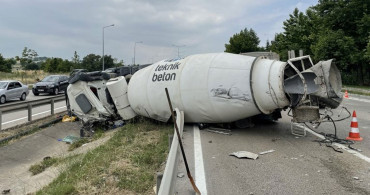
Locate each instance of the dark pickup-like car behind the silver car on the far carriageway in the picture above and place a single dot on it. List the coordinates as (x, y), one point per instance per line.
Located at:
(52, 84)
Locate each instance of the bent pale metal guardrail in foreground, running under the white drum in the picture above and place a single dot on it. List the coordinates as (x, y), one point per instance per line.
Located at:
(168, 182)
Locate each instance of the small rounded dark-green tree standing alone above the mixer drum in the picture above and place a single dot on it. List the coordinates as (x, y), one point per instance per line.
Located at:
(245, 41)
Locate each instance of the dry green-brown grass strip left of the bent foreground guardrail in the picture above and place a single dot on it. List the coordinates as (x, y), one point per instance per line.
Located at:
(125, 164)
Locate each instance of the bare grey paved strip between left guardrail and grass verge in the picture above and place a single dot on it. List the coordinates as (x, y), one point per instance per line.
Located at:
(16, 158)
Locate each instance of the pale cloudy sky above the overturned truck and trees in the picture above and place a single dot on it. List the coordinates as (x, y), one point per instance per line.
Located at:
(161, 29)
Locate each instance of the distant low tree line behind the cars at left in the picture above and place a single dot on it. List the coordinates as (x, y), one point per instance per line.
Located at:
(31, 61)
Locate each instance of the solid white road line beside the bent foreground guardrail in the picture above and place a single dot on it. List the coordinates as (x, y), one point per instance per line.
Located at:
(200, 178)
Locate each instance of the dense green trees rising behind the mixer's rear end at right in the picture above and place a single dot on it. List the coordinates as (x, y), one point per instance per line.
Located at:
(332, 29)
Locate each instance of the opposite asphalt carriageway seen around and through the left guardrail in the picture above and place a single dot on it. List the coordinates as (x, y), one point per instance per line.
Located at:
(19, 117)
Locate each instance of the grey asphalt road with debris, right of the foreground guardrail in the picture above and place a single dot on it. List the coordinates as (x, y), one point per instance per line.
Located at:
(299, 165)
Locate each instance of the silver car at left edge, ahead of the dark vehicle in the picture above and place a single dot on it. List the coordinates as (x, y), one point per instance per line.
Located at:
(11, 89)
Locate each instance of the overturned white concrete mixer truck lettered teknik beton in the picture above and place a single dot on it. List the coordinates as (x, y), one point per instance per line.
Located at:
(209, 88)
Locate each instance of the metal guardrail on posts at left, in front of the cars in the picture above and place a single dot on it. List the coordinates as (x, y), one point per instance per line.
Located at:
(28, 105)
